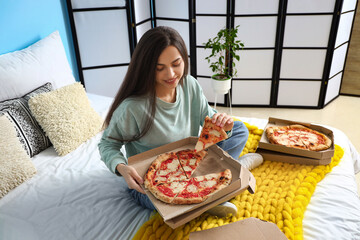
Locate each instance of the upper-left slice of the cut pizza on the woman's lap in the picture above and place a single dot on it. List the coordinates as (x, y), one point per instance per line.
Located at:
(165, 168)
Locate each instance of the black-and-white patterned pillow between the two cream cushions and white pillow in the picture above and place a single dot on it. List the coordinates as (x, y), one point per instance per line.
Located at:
(30, 133)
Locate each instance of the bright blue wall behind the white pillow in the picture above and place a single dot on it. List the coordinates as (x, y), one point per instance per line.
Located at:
(24, 22)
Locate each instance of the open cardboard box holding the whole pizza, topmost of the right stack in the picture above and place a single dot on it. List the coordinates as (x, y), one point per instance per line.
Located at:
(325, 154)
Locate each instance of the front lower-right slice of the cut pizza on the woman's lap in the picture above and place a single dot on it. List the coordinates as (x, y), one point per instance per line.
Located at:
(200, 188)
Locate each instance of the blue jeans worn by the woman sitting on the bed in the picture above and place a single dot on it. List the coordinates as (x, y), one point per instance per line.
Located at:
(233, 145)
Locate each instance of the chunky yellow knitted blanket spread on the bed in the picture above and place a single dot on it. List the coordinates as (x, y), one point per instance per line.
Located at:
(283, 191)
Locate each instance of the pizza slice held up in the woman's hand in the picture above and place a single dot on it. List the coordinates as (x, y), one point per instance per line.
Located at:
(210, 135)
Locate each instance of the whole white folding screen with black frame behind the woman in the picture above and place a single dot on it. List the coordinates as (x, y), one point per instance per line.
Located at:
(294, 53)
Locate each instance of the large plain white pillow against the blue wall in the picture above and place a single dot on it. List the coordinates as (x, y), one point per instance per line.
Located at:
(27, 69)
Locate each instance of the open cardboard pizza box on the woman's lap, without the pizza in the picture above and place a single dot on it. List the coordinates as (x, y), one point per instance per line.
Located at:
(217, 160)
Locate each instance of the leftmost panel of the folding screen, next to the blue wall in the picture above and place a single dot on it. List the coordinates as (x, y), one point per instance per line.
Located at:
(101, 32)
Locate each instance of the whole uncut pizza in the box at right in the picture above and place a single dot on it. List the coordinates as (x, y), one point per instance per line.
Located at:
(298, 136)
